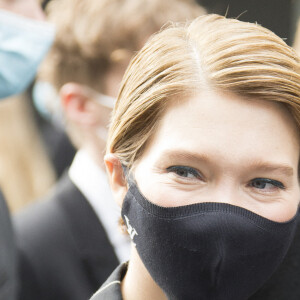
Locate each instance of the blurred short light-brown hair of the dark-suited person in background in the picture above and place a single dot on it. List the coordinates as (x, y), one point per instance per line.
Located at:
(95, 35)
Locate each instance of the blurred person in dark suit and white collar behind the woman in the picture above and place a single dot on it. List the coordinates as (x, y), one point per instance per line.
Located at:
(69, 243)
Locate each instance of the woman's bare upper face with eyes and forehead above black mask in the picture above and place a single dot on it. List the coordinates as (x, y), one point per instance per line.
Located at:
(221, 148)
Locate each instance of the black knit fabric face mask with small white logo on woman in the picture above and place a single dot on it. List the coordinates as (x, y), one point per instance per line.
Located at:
(205, 251)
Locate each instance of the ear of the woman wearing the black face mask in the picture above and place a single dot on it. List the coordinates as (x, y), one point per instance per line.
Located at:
(116, 176)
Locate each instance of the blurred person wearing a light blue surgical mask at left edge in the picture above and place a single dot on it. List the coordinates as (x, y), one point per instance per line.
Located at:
(24, 40)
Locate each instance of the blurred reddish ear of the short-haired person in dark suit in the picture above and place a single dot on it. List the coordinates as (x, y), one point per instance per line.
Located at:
(78, 105)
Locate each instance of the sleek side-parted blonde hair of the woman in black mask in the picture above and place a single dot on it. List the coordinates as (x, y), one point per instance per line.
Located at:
(213, 53)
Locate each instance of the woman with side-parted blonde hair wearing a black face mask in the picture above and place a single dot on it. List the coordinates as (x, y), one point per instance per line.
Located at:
(203, 158)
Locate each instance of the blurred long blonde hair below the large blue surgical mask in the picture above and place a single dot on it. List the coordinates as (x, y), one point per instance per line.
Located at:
(26, 172)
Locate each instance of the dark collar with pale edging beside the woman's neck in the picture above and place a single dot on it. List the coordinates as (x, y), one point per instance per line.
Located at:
(111, 289)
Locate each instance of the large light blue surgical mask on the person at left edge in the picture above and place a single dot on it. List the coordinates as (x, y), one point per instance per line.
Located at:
(23, 44)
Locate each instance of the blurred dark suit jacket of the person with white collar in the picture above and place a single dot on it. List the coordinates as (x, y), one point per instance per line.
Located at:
(63, 249)
